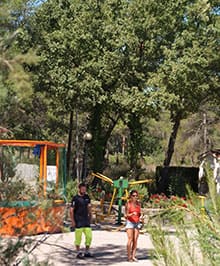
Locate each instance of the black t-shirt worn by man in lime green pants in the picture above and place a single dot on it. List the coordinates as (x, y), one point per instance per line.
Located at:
(81, 214)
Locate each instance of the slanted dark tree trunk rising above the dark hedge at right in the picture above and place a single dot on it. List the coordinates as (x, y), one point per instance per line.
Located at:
(170, 149)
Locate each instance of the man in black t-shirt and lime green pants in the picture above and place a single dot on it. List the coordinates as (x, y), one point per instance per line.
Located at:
(80, 213)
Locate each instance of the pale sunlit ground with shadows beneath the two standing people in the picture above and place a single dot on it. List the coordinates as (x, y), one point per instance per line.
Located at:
(108, 247)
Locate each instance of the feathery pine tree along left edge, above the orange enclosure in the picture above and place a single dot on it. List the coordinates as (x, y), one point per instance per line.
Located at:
(14, 77)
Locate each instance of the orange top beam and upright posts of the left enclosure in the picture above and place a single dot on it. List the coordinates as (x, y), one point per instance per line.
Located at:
(45, 146)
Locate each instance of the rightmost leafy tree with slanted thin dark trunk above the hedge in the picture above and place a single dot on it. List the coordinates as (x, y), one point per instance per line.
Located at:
(189, 70)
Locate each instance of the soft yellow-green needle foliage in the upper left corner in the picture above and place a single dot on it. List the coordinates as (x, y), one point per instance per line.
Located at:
(12, 60)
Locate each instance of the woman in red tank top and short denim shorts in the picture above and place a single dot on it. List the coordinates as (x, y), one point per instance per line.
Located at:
(133, 214)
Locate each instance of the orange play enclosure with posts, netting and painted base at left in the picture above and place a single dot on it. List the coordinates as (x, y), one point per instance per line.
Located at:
(33, 216)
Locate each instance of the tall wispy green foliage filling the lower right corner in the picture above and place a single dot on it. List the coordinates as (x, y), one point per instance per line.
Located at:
(194, 239)
